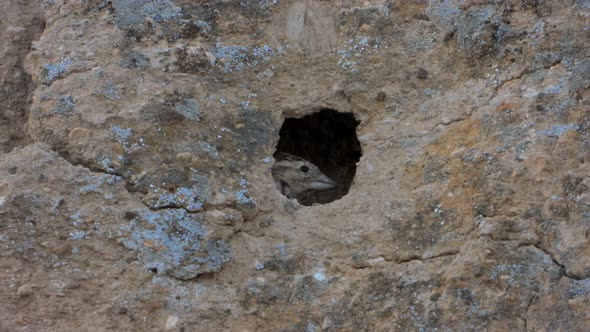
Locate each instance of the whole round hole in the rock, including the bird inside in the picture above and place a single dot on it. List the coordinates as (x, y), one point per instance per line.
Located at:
(316, 156)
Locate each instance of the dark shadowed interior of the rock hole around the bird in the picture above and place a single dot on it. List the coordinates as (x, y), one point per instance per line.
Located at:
(327, 139)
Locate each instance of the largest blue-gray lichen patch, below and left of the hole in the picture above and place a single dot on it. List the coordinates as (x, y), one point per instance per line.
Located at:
(175, 242)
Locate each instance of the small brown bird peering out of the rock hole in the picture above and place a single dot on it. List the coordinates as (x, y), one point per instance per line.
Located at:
(294, 175)
